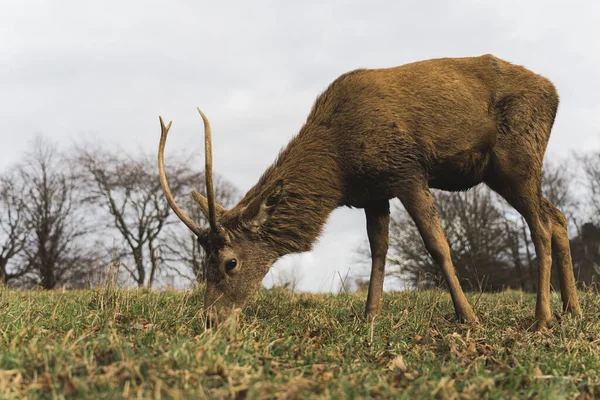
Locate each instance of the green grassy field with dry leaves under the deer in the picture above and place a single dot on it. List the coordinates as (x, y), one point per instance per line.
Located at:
(140, 344)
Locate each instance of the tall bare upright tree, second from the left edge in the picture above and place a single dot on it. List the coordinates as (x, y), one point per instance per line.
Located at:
(56, 250)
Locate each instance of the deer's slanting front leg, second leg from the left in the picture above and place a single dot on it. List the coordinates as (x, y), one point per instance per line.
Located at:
(419, 203)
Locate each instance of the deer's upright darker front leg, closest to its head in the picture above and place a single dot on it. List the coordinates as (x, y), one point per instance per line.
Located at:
(378, 221)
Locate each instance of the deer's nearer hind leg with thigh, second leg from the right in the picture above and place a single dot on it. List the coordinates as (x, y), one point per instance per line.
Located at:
(524, 195)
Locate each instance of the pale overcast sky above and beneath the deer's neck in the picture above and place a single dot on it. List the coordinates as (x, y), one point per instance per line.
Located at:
(75, 70)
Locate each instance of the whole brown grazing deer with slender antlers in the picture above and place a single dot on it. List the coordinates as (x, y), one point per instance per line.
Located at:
(378, 134)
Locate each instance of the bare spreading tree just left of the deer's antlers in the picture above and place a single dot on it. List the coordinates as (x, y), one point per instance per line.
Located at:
(128, 189)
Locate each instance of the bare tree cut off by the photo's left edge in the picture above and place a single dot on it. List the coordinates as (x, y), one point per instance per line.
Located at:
(13, 229)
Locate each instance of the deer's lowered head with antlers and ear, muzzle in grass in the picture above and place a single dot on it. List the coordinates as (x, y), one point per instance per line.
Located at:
(238, 257)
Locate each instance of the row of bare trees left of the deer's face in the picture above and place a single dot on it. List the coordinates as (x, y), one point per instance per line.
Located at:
(68, 216)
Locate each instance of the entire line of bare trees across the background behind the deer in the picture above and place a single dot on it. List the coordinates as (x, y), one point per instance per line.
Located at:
(68, 216)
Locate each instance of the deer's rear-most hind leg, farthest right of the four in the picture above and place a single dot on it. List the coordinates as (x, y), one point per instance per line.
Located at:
(561, 251)
